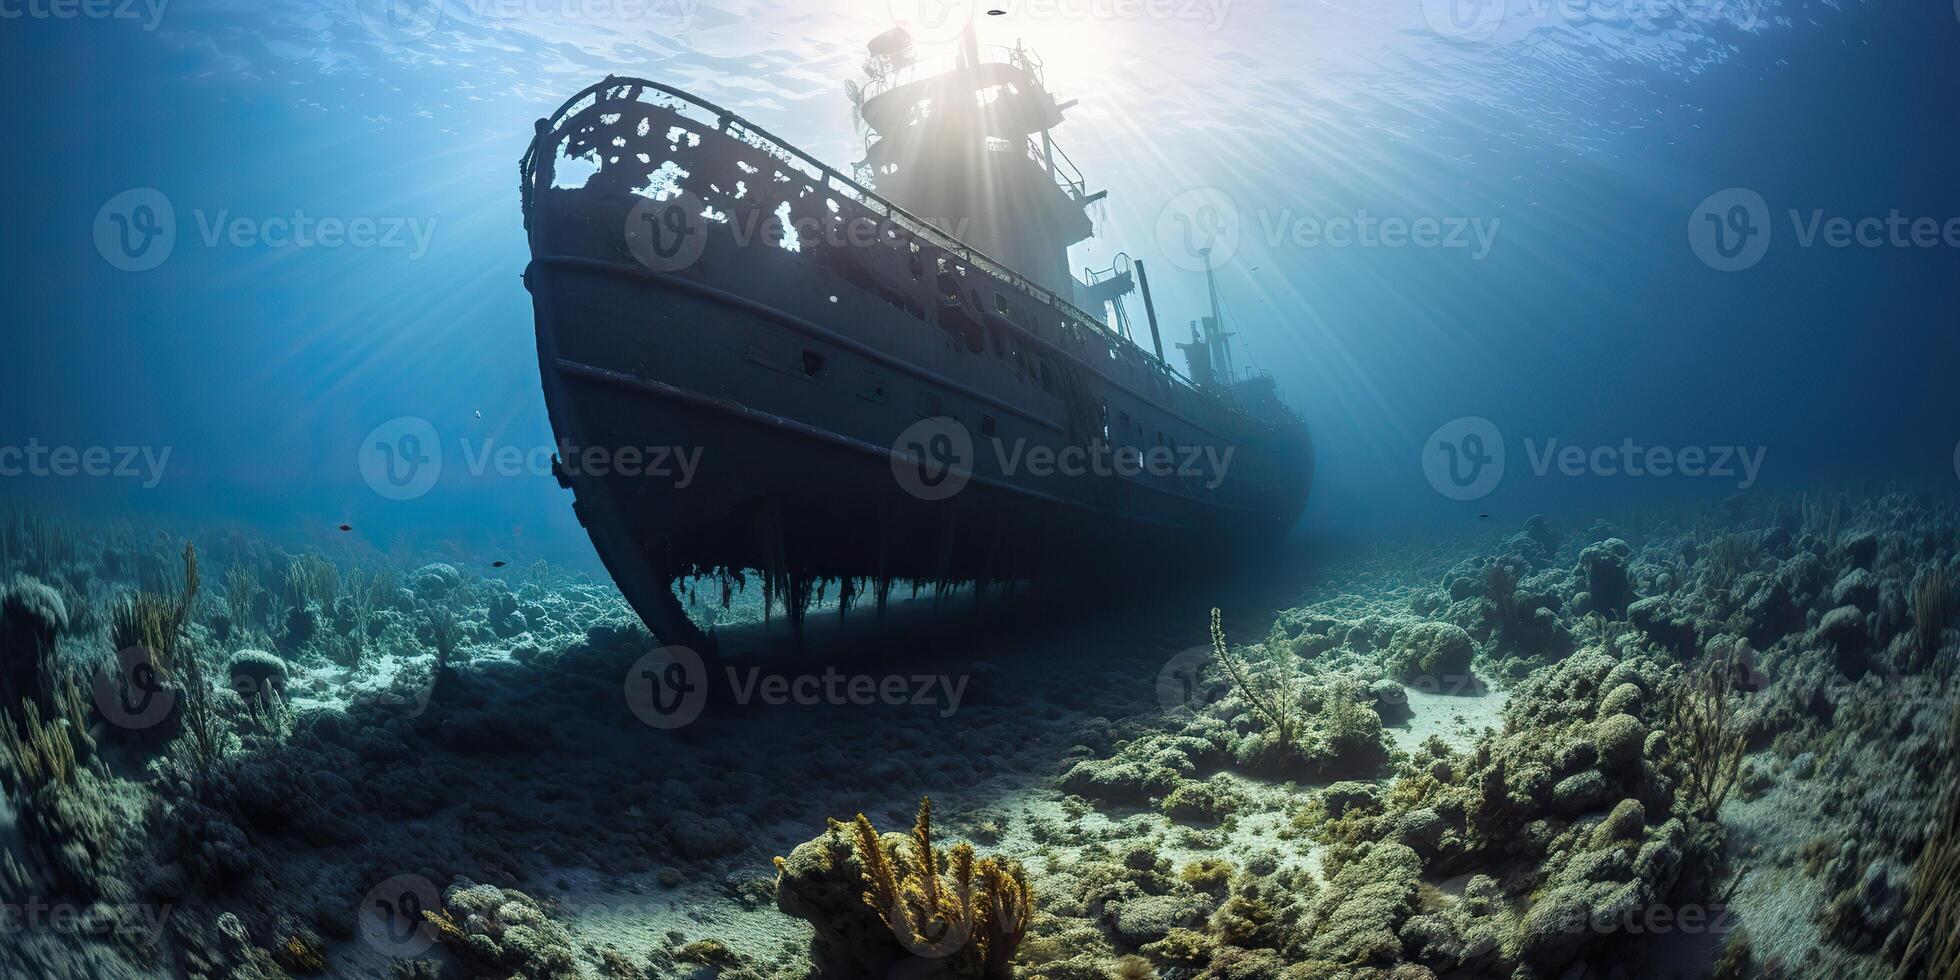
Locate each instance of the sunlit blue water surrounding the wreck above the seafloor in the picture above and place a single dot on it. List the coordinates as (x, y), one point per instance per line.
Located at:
(1583, 140)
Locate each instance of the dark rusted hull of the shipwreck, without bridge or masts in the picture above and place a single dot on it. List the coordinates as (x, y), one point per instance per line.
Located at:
(824, 415)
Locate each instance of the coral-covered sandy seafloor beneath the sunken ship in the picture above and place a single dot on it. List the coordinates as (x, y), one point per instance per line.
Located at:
(1487, 773)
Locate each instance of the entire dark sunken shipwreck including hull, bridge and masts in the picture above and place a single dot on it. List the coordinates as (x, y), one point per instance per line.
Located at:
(881, 387)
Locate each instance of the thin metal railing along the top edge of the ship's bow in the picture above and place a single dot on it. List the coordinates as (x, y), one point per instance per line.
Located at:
(787, 154)
